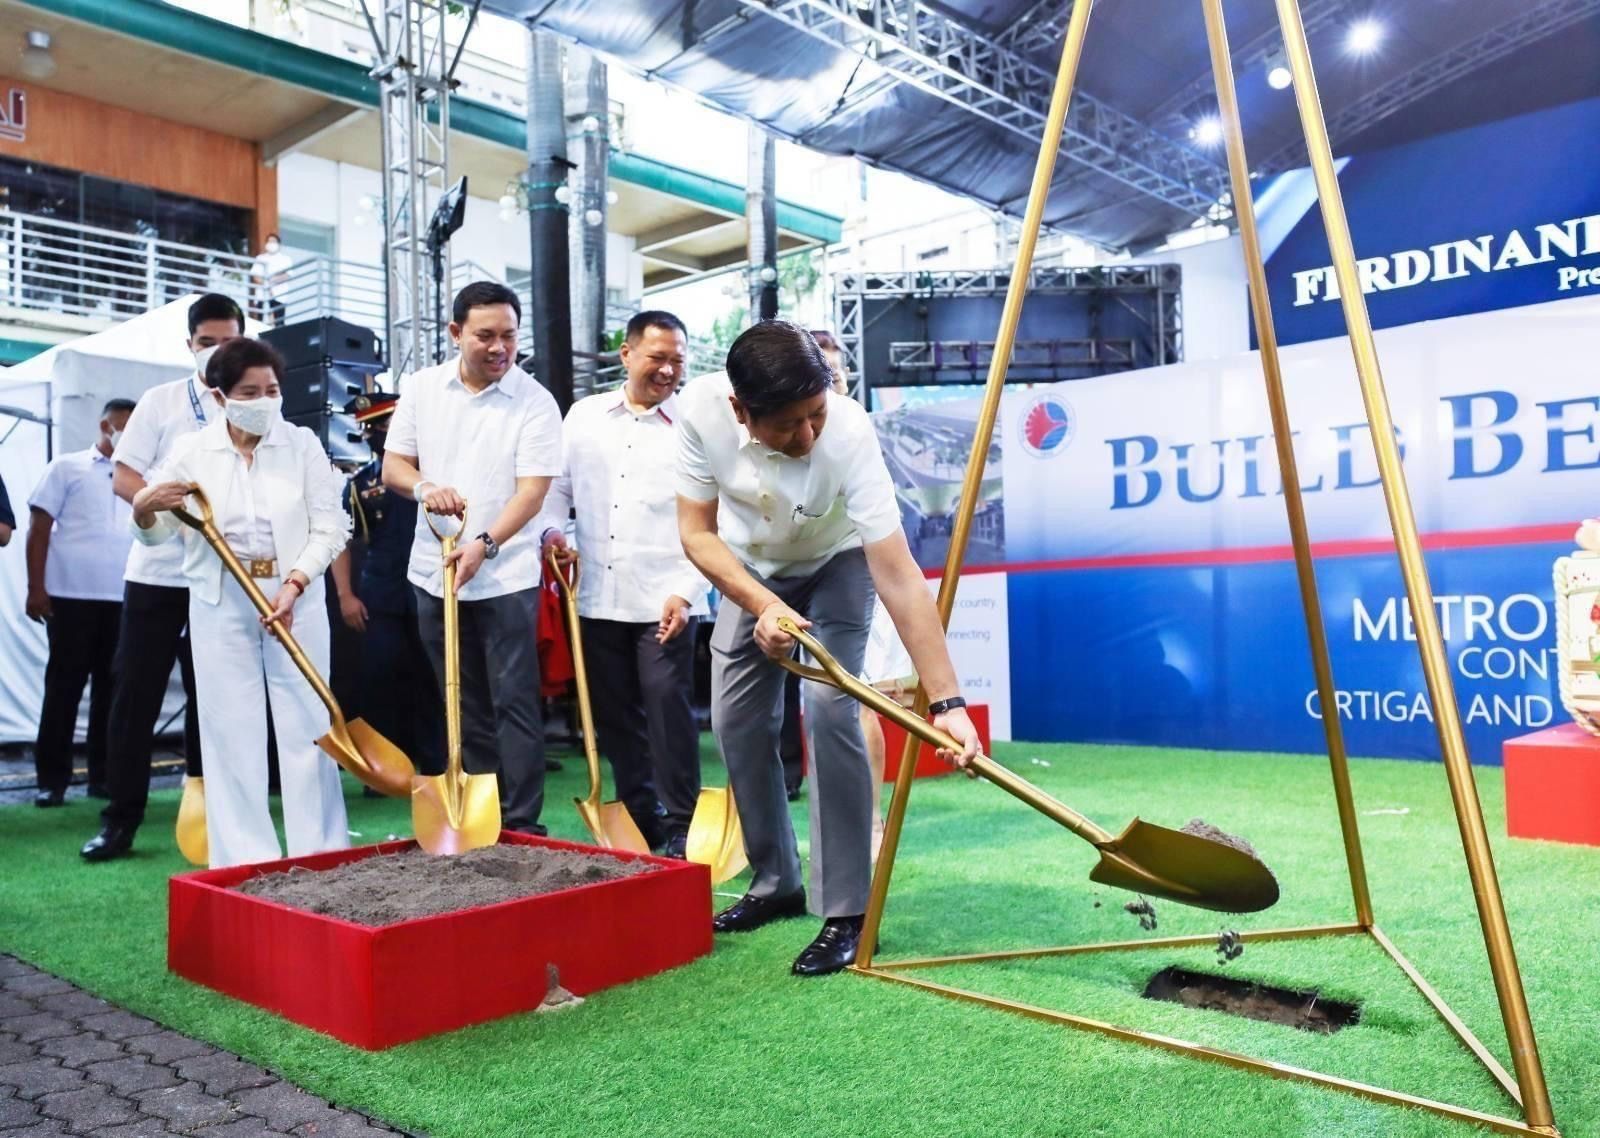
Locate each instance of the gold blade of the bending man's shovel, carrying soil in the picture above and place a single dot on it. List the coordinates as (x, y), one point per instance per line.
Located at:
(1186, 868)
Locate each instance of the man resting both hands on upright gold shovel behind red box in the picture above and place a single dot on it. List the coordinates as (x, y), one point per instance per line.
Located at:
(481, 435)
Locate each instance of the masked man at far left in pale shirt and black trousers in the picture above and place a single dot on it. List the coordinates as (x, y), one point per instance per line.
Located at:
(78, 545)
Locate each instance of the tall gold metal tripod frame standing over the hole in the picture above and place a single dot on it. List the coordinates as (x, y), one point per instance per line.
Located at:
(1527, 1088)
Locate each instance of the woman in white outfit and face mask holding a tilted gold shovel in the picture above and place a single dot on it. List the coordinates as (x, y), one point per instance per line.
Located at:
(278, 502)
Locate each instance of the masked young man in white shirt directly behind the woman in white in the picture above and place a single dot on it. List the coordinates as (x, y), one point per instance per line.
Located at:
(156, 596)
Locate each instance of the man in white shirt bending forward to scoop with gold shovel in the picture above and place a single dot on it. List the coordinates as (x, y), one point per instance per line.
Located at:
(786, 507)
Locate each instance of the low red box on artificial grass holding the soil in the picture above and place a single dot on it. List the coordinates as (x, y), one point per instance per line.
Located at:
(378, 987)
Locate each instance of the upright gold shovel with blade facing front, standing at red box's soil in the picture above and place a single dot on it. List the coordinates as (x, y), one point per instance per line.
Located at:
(454, 812)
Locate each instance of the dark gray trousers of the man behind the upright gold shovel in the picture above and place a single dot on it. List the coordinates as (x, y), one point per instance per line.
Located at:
(502, 721)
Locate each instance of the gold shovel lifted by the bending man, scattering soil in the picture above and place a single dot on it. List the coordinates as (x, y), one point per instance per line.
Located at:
(1198, 870)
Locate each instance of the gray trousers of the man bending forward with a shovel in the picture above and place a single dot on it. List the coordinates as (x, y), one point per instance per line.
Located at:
(748, 715)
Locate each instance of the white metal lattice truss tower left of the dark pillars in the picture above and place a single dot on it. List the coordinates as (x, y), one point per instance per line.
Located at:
(415, 76)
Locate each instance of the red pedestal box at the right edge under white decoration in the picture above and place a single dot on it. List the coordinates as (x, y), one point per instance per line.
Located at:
(1553, 785)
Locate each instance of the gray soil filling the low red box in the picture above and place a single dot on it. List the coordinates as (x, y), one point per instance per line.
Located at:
(388, 889)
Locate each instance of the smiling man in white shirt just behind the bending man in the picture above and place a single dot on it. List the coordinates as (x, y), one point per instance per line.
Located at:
(638, 593)
